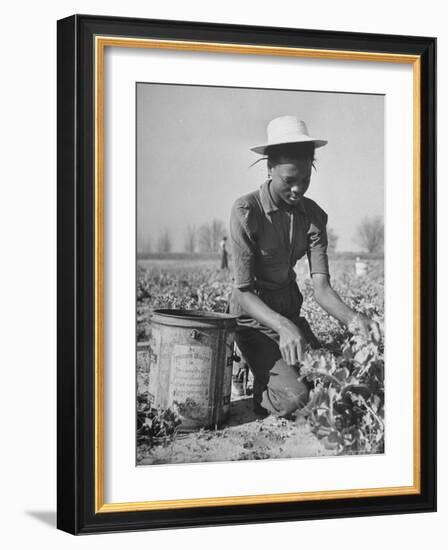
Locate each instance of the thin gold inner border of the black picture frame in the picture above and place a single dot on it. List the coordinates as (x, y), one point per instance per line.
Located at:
(100, 43)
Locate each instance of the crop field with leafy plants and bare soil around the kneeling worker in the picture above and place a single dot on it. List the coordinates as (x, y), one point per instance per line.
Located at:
(345, 411)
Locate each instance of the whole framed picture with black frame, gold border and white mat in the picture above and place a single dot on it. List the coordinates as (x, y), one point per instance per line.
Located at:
(246, 274)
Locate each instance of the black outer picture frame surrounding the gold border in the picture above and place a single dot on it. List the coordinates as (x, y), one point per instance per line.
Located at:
(77, 495)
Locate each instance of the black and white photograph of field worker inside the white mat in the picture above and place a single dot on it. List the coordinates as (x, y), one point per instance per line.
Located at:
(260, 274)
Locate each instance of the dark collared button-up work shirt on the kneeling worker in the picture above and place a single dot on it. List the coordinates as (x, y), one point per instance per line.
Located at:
(267, 241)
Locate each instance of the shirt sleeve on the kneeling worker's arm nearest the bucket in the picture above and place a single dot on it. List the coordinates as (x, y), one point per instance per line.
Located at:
(243, 244)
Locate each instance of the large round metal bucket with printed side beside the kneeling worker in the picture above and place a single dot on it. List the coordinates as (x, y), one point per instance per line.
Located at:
(191, 362)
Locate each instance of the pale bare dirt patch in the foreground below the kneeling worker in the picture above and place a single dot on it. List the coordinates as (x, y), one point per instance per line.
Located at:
(245, 437)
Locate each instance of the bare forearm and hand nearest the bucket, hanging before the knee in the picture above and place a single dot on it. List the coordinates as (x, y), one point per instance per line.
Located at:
(291, 342)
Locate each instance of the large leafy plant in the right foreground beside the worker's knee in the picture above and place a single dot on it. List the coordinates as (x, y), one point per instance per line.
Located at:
(346, 405)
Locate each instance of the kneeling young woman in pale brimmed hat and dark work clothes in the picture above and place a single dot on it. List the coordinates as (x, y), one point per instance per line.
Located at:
(270, 230)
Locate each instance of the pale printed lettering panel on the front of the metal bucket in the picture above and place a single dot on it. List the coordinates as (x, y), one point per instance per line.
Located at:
(190, 379)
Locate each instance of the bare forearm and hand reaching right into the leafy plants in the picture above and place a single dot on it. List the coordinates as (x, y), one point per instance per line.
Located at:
(329, 300)
